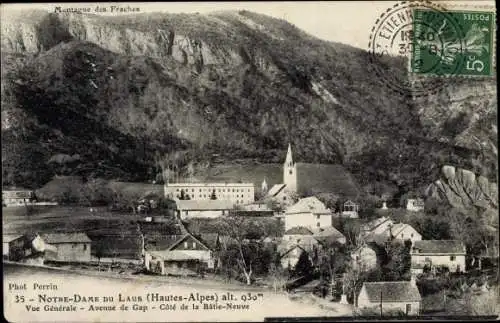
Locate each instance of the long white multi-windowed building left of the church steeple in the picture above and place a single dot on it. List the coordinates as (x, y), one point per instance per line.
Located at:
(237, 193)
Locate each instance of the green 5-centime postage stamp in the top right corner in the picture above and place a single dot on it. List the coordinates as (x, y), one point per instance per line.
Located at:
(453, 42)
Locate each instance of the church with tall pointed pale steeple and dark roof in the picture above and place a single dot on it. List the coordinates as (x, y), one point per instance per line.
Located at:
(307, 179)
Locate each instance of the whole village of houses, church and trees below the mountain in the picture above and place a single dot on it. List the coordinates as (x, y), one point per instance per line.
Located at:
(285, 237)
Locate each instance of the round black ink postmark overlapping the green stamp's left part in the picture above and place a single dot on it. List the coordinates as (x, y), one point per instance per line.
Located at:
(413, 44)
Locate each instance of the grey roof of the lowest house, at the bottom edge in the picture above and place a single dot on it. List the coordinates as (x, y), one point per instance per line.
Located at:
(400, 291)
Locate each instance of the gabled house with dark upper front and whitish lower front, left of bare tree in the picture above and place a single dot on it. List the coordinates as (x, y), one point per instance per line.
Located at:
(185, 255)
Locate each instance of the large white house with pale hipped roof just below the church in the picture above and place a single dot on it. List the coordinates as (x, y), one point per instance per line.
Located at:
(308, 212)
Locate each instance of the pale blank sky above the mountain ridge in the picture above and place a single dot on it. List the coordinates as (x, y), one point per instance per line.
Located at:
(348, 22)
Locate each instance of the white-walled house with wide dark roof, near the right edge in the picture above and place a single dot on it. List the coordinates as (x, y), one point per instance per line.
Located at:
(438, 253)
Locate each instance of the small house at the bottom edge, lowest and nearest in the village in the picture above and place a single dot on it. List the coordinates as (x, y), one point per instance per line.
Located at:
(390, 296)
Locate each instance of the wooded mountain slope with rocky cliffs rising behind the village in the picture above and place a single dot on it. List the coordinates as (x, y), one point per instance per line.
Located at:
(121, 91)
